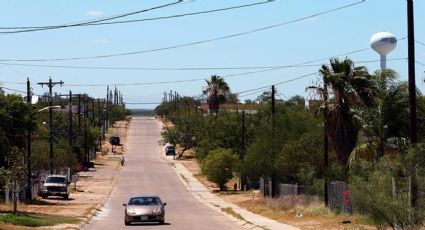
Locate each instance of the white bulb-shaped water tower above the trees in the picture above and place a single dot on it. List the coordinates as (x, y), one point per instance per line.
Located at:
(383, 43)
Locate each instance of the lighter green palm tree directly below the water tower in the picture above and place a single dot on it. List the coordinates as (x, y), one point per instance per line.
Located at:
(387, 121)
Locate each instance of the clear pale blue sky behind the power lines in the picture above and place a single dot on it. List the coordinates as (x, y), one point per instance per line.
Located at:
(179, 53)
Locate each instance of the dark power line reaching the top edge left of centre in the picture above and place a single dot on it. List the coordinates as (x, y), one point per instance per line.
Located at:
(39, 28)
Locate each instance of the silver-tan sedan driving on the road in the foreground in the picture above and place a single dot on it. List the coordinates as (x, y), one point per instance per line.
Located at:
(144, 208)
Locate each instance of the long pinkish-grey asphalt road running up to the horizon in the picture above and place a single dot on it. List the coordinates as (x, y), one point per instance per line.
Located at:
(146, 172)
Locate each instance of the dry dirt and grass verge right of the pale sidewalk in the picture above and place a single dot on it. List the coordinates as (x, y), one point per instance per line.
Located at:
(294, 212)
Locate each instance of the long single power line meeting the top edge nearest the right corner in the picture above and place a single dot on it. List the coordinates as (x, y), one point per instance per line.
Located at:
(190, 43)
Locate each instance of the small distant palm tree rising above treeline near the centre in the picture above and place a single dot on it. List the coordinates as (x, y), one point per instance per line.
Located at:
(216, 91)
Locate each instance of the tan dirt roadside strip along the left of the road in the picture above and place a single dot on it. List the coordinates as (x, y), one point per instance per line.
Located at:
(90, 191)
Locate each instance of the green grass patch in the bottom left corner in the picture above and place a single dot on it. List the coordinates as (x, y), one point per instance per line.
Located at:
(36, 220)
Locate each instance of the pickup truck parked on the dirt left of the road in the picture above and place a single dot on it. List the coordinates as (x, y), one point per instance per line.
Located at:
(56, 185)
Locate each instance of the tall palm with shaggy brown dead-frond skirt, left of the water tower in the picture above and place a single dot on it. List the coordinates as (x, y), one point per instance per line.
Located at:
(351, 87)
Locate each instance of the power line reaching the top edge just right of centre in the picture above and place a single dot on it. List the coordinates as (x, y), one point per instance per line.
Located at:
(162, 17)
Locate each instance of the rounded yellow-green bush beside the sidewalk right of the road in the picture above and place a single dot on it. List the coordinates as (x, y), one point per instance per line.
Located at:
(219, 166)
